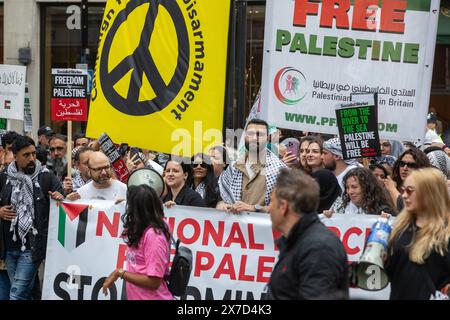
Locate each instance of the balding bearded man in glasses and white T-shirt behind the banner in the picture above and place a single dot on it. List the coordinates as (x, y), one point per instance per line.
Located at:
(102, 185)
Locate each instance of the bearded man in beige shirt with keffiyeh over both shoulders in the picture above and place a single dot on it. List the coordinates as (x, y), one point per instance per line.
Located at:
(247, 184)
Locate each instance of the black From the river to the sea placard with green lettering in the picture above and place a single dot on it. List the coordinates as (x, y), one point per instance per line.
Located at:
(358, 130)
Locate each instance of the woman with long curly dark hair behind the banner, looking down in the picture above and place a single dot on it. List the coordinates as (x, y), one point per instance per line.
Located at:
(363, 194)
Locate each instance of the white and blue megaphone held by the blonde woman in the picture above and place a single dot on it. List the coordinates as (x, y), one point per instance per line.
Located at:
(370, 273)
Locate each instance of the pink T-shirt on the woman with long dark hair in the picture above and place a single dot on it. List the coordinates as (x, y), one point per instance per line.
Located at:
(151, 258)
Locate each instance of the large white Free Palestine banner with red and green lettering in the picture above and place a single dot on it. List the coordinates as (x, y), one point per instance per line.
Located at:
(318, 53)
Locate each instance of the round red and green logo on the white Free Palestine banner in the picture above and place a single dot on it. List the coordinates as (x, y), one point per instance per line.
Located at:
(290, 85)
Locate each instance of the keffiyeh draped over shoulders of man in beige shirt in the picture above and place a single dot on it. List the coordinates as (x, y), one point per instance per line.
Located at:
(230, 181)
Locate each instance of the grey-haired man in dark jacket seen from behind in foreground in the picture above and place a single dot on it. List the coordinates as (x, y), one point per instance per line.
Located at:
(312, 262)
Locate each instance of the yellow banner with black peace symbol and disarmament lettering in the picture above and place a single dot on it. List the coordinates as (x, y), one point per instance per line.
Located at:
(159, 80)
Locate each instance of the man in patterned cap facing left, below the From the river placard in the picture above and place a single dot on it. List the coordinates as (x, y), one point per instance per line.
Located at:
(332, 159)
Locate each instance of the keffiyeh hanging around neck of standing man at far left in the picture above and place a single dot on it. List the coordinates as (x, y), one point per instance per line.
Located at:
(22, 199)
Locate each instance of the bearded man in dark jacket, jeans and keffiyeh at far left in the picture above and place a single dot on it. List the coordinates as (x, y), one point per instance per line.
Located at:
(24, 211)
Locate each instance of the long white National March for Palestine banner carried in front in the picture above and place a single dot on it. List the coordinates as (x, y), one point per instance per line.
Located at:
(233, 255)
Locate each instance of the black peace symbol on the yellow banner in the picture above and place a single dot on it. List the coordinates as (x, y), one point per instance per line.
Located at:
(141, 62)
